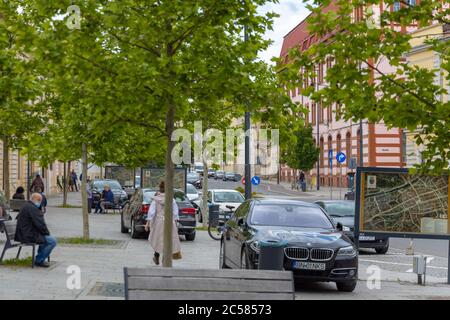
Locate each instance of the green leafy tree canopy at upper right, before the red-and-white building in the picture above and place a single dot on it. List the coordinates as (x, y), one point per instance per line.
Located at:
(407, 98)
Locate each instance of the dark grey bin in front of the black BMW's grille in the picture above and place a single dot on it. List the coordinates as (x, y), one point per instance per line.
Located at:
(271, 255)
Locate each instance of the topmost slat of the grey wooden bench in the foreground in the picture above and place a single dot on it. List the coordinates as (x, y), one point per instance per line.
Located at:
(210, 273)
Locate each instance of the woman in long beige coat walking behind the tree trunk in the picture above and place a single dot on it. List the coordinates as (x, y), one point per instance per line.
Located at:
(155, 222)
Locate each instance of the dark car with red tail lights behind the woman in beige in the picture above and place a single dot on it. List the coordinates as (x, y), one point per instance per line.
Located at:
(134, 214)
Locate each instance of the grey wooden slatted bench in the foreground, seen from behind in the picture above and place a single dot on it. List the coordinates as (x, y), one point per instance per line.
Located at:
(223, 284)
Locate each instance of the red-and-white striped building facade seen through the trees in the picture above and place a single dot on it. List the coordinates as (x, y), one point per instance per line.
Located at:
(381, 147)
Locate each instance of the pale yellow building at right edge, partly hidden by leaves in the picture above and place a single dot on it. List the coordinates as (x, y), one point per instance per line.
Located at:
(422, 55)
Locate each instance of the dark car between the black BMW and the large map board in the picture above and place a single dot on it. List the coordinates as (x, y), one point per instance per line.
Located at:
(343, 211)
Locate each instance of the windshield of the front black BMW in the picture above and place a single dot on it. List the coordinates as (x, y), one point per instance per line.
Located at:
(290, 215)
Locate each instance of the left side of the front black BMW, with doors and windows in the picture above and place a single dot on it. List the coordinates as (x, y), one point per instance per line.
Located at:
(236, 234)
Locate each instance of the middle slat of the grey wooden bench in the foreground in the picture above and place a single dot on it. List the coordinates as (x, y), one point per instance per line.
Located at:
(210, 284)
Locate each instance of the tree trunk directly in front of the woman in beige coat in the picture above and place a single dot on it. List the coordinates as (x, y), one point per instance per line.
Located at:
(168, 208)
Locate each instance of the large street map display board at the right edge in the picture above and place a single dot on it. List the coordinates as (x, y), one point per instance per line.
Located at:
(392, 201)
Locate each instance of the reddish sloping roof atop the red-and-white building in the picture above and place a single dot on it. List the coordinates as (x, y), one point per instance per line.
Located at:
(300, 33)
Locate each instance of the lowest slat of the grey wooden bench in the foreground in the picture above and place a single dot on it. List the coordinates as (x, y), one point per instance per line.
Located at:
(207, 295)
